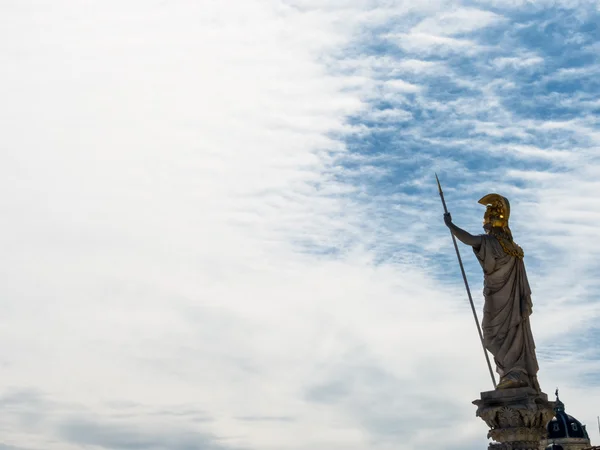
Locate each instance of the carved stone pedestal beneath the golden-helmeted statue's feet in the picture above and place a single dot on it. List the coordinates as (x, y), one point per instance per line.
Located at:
(517, 417)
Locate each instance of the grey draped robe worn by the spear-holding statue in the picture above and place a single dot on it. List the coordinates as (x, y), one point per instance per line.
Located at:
(506, 327)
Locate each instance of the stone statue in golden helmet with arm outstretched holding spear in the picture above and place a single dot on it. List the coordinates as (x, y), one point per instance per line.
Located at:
(506, 327)
